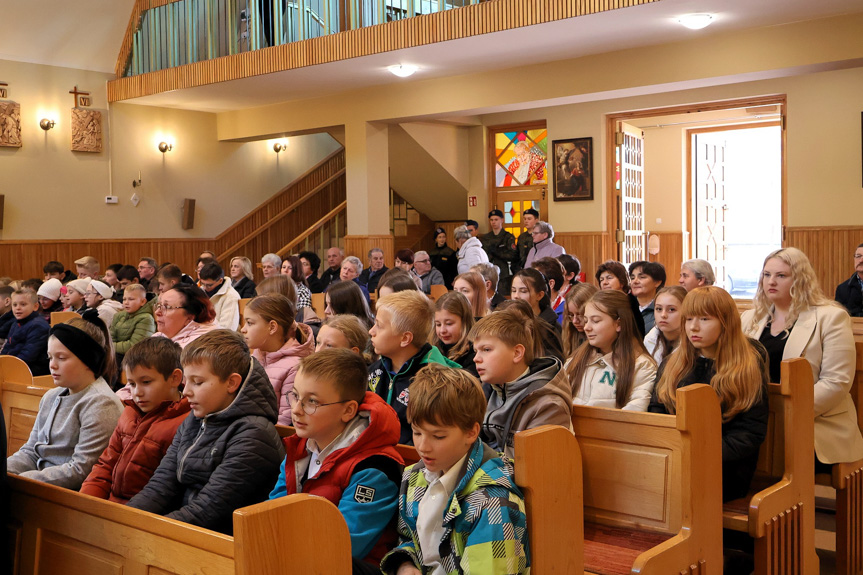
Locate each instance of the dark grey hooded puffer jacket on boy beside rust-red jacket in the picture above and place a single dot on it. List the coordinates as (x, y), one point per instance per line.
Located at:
(227, 460)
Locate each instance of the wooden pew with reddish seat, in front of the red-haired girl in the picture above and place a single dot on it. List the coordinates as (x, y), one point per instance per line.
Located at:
(652, 487)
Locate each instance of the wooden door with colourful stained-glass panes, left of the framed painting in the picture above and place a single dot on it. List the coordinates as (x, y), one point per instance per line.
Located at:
(518, 172)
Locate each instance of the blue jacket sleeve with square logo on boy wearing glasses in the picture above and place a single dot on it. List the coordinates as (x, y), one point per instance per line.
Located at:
(368, 504)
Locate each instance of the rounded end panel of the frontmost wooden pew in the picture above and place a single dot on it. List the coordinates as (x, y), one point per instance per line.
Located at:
(276, 534)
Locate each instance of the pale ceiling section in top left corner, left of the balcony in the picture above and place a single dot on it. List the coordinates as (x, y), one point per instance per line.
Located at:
(82, 34)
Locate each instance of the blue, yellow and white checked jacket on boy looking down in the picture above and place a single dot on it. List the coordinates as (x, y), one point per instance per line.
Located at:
(485, 526)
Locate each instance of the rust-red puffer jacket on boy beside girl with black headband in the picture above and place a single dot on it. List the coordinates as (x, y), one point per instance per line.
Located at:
(137, 446)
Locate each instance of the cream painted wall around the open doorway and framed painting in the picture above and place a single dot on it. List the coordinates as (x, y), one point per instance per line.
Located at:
(823, 149)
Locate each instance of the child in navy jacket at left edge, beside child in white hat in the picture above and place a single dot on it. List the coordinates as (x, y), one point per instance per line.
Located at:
(28, 336)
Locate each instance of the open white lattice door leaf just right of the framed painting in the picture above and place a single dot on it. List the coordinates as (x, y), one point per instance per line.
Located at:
(630, 235)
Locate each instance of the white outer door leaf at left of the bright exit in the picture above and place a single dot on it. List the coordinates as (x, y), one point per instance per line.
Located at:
(710, 205)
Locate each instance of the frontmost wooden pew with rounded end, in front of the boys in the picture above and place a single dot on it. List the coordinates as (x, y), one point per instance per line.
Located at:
(55, 530)
